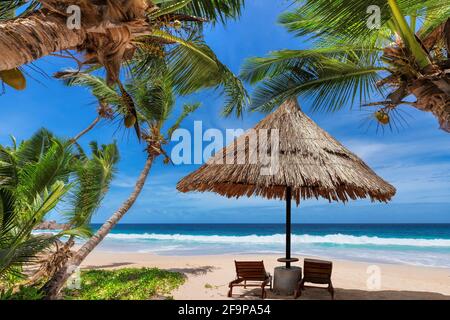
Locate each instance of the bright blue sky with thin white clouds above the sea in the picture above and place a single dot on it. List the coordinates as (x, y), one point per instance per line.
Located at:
(415, 160)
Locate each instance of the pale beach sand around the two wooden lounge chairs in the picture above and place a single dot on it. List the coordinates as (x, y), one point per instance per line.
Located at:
(208, 277)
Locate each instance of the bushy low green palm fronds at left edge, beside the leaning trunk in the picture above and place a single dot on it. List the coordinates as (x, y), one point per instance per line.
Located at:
(35, 176)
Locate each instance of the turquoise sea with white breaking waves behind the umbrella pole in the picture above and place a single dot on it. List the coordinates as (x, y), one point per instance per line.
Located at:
(415, 244)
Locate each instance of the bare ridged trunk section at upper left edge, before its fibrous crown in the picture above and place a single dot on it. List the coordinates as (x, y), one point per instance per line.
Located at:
(24, 40)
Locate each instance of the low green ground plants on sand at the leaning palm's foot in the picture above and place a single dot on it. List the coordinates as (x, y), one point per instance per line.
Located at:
(125, 284)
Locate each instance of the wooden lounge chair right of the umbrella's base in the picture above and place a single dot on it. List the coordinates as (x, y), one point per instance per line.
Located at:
(317, 272)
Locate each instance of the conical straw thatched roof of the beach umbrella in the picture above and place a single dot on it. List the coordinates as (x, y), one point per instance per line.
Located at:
(310, 161)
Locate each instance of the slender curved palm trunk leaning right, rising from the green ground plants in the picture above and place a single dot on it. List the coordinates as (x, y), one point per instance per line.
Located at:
(56, 283)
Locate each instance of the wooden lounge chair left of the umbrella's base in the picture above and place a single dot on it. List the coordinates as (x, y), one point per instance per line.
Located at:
(255, 273)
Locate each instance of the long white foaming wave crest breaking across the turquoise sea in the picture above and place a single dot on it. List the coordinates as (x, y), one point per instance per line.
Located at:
(332, 239)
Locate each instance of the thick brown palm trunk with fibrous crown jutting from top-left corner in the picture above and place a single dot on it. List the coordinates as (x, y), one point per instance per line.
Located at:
(106, 30)
